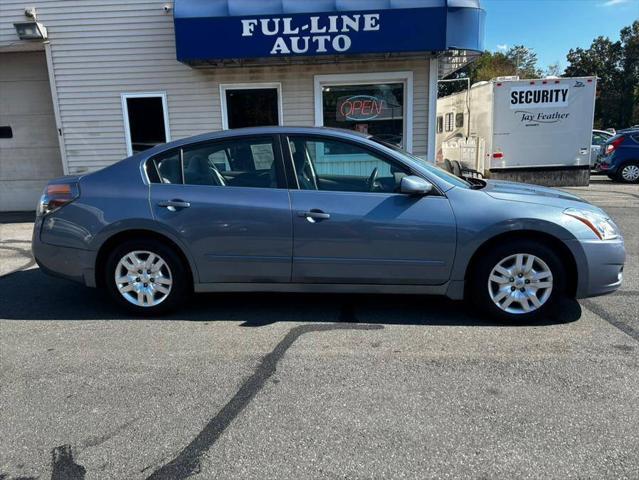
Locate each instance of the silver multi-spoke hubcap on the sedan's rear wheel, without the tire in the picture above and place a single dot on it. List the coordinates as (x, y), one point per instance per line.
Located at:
(143, 278)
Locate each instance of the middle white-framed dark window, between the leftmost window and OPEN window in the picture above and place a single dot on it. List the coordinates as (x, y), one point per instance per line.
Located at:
(251, 105)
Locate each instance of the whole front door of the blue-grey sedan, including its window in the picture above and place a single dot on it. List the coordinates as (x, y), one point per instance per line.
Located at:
(351, 226)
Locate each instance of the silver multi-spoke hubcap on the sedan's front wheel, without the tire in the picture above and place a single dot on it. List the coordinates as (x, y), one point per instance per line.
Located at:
(520, 283)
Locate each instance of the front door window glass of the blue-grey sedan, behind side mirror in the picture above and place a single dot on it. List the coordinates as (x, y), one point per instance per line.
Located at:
(332, 165)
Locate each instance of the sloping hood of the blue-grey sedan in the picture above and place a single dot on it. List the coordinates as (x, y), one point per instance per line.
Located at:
(523, 192)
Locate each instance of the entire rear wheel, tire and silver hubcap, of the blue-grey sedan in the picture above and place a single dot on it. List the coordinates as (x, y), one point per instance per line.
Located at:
(145, 277)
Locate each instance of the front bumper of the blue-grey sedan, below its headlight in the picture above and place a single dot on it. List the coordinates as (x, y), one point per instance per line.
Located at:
(600, 266)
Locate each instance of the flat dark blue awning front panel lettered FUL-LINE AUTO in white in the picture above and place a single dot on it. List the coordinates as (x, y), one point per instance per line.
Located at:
(311, 34)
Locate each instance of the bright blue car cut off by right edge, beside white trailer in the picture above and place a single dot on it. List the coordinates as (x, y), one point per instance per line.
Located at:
(620, 157)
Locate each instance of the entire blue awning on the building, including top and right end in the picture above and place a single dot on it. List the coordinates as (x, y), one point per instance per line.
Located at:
(213, 30)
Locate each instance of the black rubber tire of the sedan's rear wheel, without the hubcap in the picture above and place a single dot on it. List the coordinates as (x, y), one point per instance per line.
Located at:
(181, 281)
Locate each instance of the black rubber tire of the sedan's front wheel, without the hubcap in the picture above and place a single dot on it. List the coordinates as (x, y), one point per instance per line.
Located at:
(478, 288)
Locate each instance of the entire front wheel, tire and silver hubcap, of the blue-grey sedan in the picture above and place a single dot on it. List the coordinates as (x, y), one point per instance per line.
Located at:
(519, 280)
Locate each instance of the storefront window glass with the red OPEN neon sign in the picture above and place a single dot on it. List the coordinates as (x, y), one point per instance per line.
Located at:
(375, 109)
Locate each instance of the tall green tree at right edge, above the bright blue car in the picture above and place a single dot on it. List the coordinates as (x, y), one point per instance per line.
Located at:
(616, 64)
